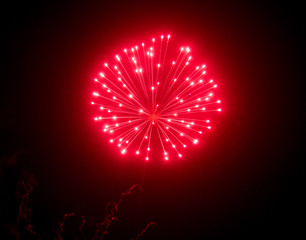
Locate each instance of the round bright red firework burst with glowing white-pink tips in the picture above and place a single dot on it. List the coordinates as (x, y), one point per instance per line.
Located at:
(151, 93)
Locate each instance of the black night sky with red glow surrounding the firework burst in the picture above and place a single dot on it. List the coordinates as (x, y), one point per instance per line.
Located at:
(243, 182)
